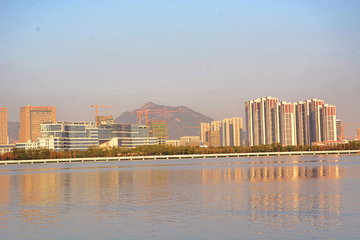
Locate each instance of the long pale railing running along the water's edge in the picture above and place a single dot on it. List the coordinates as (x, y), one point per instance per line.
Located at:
(168, 157)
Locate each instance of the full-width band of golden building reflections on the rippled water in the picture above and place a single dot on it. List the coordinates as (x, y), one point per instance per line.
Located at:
(274, 197)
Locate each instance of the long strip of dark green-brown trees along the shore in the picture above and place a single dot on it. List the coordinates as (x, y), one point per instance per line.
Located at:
(153, 150)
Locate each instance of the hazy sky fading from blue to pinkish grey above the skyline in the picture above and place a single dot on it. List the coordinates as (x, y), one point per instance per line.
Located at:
(210, 56)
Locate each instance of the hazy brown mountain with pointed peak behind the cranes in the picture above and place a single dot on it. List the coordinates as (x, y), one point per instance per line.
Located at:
(182, 122)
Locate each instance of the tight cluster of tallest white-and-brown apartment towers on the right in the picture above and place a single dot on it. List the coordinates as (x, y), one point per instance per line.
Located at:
(300, 123)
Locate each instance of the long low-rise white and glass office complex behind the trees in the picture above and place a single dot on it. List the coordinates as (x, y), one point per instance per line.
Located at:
(68, 136)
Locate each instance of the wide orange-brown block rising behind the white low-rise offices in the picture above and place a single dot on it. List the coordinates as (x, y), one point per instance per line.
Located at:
(30, 119)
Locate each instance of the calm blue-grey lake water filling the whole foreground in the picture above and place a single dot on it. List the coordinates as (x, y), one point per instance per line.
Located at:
(225, 198)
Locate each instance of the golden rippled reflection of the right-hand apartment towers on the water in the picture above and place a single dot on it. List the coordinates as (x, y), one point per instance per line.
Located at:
(281, 197)
